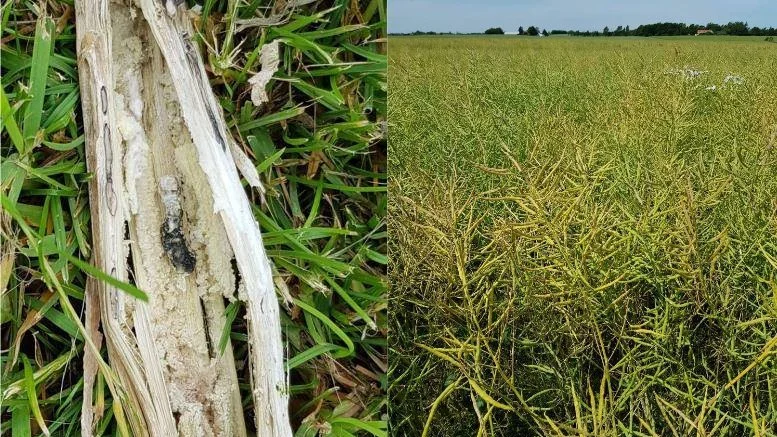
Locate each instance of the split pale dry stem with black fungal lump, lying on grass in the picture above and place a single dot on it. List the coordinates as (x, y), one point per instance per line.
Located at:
(165, 179)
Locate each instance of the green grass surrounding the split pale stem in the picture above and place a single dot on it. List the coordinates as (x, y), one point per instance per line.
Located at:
(318, 145)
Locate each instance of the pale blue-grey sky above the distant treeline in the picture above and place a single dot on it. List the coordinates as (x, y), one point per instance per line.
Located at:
(476, 16)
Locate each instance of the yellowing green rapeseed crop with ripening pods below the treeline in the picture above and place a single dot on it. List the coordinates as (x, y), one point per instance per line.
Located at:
(584, 236)
